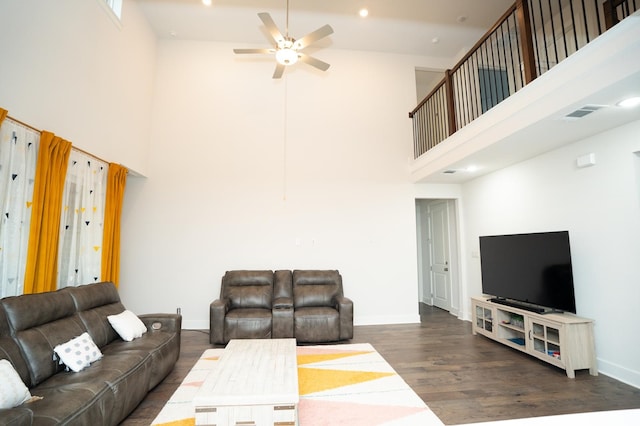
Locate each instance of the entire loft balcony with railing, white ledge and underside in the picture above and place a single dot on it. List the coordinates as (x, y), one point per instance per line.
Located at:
(548, 73)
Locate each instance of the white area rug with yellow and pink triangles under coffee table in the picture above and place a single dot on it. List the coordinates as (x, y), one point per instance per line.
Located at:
(348, 384)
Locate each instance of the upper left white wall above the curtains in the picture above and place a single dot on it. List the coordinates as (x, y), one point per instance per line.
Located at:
(69, 69)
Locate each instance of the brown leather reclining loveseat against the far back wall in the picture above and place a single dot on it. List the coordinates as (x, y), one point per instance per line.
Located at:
(306, 304)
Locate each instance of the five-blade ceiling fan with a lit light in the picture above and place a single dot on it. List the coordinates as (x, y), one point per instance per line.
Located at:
(287, 49)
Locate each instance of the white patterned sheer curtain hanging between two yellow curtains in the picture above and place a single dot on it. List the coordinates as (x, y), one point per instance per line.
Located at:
(82, 219)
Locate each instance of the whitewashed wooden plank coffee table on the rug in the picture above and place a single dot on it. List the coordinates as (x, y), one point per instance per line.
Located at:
(255, 382)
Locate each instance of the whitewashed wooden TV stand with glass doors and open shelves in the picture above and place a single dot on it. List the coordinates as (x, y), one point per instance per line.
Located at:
(561, 339)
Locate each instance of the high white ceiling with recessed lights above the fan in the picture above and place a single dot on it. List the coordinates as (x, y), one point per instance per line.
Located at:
(398, 26)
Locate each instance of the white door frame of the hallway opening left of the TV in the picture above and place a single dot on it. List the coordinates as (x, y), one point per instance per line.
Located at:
(425, 286)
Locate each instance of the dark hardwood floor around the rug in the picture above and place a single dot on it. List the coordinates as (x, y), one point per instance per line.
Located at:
(461, 377)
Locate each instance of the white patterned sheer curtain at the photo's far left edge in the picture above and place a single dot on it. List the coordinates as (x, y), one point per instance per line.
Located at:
(18, 155)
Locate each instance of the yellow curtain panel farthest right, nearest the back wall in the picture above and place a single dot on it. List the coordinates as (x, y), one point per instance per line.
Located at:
(116, 181)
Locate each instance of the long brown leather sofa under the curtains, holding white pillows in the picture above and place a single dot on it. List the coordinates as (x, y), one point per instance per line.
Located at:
(105, 392)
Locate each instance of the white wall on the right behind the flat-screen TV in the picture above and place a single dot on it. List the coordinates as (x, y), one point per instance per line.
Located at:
(600, 207)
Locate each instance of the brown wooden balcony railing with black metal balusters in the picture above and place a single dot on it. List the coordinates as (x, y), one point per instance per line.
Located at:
(528, 40)
